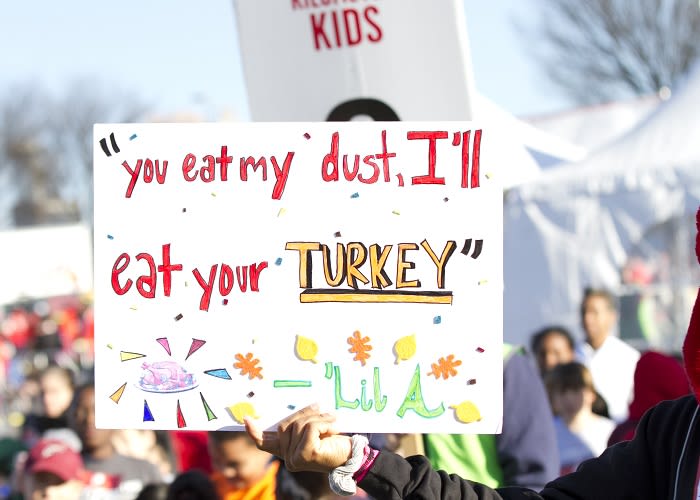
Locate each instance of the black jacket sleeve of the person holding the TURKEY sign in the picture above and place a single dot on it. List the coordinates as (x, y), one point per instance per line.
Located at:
(661, 462)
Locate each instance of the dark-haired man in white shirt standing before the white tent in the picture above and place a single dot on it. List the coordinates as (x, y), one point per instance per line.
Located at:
(611, 361)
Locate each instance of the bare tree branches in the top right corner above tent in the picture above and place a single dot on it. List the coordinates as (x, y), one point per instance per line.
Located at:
(601, 50)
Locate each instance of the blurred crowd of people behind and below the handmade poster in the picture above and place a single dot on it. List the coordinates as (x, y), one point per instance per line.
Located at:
(565, 402)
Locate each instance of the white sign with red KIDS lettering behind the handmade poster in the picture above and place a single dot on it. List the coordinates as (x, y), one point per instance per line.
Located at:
(317, 60)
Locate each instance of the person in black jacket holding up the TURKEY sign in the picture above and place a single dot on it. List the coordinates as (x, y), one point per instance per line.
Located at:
(662, 461)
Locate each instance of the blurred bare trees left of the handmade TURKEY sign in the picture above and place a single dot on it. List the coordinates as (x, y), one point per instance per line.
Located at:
(46, 145)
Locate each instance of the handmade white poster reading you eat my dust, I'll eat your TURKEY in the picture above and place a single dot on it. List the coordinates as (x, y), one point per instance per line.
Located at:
(254, 269)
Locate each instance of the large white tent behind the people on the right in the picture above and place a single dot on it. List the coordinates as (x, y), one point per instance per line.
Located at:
(629, 206)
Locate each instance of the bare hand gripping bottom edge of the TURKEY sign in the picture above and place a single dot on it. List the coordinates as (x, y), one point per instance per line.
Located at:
(305, 440)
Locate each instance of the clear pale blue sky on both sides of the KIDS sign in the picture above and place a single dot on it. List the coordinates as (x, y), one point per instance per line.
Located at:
(183, 55)
